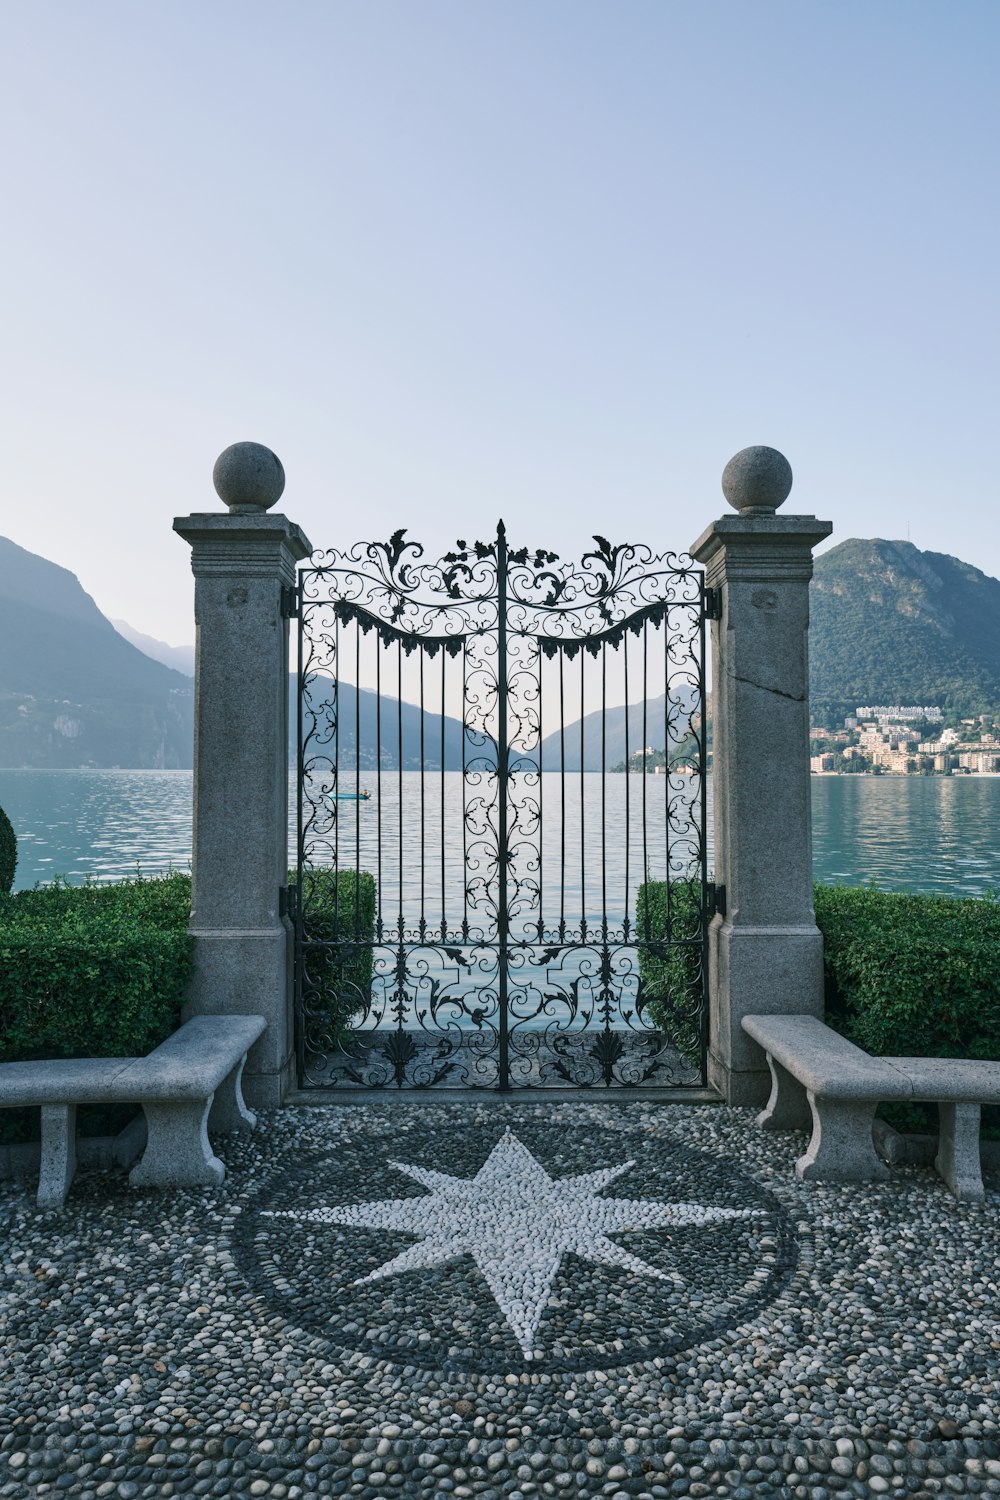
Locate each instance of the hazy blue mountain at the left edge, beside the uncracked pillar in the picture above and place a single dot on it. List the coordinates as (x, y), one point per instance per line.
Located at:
(73, 691)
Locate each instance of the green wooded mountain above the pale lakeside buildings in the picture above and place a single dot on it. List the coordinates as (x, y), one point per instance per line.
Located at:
(893, 625)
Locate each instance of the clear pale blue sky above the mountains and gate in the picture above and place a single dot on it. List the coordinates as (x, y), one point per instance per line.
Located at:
(466, 259)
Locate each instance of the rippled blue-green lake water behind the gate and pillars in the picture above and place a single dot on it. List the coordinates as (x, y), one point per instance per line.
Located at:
(906, 833)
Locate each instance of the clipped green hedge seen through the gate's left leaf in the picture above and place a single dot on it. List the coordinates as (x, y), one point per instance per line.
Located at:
(340, 928)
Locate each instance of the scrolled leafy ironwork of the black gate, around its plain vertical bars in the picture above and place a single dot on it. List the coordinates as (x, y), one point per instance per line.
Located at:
(575, 1004)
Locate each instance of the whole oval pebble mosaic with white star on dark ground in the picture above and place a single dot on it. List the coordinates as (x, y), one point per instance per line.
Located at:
(506, 1249)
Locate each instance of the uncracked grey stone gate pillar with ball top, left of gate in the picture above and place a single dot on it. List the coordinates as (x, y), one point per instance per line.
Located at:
(242, 562)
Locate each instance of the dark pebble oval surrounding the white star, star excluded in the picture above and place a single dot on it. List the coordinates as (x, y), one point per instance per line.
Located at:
(445, 1319)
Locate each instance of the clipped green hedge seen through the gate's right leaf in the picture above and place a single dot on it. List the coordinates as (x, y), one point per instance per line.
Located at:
(671, 962)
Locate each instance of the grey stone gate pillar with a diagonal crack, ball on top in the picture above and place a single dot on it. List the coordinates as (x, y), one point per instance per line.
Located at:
(765, 950)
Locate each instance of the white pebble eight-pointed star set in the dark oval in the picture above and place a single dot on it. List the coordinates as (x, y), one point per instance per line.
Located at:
(518, 1223)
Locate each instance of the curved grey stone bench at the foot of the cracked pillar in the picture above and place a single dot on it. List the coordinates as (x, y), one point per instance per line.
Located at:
(822, 1081)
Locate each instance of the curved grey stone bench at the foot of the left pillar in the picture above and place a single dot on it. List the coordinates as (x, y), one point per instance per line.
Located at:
(187, 1087)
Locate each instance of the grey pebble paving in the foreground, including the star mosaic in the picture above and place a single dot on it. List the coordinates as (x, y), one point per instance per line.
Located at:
(512, 1300)
